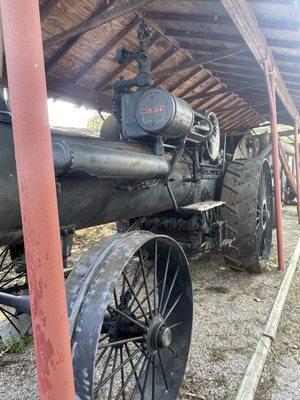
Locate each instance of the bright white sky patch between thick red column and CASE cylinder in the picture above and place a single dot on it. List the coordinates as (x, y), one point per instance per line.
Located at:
(68, 115)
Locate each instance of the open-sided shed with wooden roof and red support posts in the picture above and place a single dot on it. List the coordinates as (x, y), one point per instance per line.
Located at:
(225, 56)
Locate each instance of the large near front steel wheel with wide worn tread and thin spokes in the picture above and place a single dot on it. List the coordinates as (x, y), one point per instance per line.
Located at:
(130, 308)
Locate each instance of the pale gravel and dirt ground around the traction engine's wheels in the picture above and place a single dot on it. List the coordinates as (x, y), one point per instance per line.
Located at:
(230, 312)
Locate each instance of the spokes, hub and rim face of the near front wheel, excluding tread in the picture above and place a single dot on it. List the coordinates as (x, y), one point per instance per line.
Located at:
(150, 360)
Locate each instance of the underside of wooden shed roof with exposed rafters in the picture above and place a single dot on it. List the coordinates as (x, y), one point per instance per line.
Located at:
(199, 50)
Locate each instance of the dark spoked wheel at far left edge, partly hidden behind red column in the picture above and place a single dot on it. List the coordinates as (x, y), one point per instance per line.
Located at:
(12, 281)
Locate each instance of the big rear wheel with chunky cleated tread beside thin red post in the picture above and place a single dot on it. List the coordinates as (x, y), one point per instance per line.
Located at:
(247, 192)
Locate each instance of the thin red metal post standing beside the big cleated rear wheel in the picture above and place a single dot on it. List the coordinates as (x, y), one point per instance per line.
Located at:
(270, 82)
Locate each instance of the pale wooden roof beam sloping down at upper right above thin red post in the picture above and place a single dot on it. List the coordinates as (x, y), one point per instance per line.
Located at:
(245, 20)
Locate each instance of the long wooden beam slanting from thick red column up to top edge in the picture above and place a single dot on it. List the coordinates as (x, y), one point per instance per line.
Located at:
(96, 22)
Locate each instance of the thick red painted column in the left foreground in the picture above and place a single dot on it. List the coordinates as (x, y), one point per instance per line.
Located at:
(33, 151)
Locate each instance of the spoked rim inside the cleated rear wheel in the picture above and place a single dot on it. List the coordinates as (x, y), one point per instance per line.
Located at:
(264, 213)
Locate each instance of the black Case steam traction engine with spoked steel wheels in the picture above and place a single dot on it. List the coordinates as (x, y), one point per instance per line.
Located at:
(159, 170)
